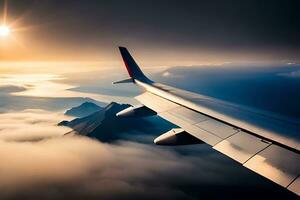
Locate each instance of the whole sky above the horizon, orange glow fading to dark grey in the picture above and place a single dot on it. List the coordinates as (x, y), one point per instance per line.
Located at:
(160, 33)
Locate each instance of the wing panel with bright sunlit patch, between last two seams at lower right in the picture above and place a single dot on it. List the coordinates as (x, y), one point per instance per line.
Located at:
(277, 164)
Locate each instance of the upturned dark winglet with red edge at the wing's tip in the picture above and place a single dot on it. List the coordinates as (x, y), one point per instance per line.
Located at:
(133, 69)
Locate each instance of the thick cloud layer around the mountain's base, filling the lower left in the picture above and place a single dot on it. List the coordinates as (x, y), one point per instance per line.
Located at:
(37, 162)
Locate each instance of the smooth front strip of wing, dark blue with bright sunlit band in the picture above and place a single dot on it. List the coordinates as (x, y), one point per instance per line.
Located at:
(269, 125)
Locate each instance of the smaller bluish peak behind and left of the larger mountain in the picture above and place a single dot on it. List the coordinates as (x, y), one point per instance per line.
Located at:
(83, 110)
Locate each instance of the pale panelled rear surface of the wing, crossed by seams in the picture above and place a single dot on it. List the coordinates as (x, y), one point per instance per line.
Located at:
(269, 159)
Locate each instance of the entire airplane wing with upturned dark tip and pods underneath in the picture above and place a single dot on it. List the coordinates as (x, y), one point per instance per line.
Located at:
(262, 142)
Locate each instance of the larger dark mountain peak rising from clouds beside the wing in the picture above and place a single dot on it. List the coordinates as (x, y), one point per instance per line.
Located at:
(105, 126)
